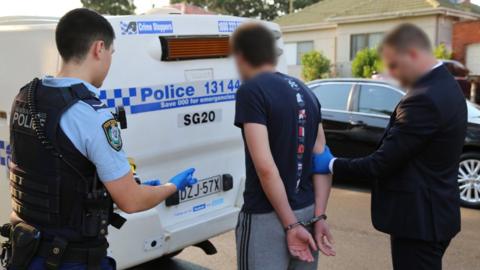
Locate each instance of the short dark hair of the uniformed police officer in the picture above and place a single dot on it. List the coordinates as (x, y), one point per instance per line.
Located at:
(78, 29)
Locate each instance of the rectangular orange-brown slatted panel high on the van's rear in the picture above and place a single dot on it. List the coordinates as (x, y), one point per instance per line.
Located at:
(175, 48)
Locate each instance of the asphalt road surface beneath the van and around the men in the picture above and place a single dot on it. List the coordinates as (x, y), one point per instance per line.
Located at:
(358, 245)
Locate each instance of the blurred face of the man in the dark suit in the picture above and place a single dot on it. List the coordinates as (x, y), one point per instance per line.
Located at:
(402, 65)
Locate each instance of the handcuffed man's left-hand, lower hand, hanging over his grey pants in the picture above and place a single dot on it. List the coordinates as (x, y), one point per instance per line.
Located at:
(300, 244)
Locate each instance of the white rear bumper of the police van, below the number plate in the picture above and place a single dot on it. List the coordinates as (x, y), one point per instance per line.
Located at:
(131, 246)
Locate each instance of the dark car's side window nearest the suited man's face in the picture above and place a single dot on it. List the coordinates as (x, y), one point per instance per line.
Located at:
(375, 99)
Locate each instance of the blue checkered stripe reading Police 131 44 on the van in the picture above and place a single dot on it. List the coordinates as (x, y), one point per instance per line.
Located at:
(147, 99)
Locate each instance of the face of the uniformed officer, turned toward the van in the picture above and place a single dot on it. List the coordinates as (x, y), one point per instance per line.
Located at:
(103, 60)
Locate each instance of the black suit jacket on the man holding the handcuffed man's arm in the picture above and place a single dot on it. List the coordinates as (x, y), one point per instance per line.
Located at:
(415, 192)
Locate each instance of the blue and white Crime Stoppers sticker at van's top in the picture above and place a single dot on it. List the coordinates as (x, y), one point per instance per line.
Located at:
(146, 27)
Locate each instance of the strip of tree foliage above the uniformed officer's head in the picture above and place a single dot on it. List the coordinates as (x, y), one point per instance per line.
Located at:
(111, 7)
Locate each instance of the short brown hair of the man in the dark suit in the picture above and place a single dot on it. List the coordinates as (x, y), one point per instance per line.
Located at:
(406, 36)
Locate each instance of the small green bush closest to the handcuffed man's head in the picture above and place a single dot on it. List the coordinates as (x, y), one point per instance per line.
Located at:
(315, 66)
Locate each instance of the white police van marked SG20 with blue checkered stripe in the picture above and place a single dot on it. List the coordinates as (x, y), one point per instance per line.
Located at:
(173, 75)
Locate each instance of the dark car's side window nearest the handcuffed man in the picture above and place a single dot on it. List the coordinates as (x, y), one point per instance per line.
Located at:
(333, 96)
